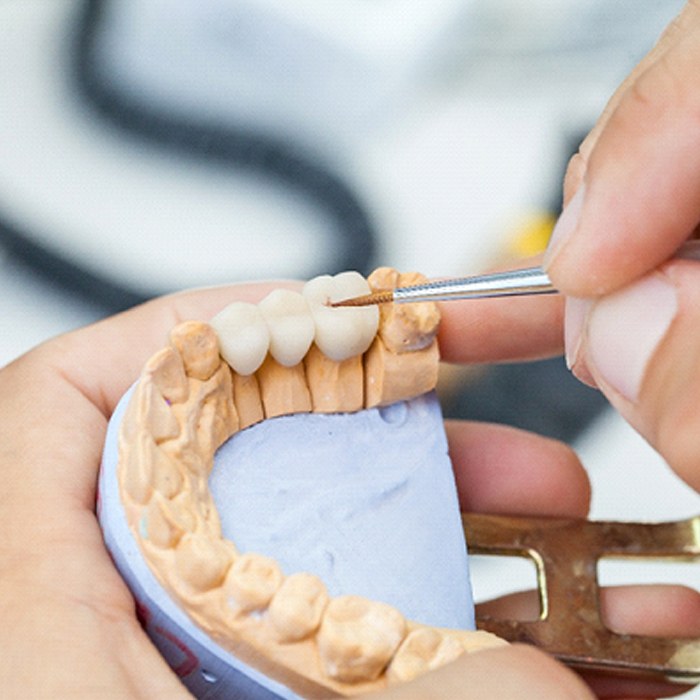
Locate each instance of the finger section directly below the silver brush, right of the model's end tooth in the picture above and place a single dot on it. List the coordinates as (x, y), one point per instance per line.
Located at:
(501, 330)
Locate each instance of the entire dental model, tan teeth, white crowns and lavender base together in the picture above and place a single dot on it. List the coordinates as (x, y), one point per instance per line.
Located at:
(276, 491)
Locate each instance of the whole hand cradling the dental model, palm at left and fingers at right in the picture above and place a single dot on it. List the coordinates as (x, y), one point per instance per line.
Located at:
(62, 600)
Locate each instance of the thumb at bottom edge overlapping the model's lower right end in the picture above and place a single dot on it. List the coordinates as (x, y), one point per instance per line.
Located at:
(516, 672)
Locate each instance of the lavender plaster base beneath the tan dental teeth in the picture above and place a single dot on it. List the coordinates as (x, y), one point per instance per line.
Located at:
(366, 500)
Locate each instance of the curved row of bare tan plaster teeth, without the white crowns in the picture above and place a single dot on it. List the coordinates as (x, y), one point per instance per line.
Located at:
(348, 639)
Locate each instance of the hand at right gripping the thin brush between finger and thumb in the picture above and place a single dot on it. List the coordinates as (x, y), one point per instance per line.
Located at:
(633, 199)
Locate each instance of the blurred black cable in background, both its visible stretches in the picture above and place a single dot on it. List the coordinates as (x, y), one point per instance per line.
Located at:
(241, 148)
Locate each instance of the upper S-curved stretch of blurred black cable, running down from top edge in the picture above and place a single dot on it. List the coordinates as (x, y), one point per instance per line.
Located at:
(239, 147)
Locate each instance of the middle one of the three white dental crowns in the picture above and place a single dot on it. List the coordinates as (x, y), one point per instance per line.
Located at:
(290, 323)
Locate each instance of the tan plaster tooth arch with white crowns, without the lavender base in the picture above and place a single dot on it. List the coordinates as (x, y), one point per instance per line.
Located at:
(290, 354)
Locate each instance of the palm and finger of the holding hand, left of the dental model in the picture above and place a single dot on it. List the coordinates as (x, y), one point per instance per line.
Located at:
(69, 627)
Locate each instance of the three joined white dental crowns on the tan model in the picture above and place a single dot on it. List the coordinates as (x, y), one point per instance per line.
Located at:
(286, 323)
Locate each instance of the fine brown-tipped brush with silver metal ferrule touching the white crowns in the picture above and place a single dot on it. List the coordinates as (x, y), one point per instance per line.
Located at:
(532, 280)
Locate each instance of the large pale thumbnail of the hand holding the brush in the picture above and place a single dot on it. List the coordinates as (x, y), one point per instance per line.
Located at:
(624, 329)
